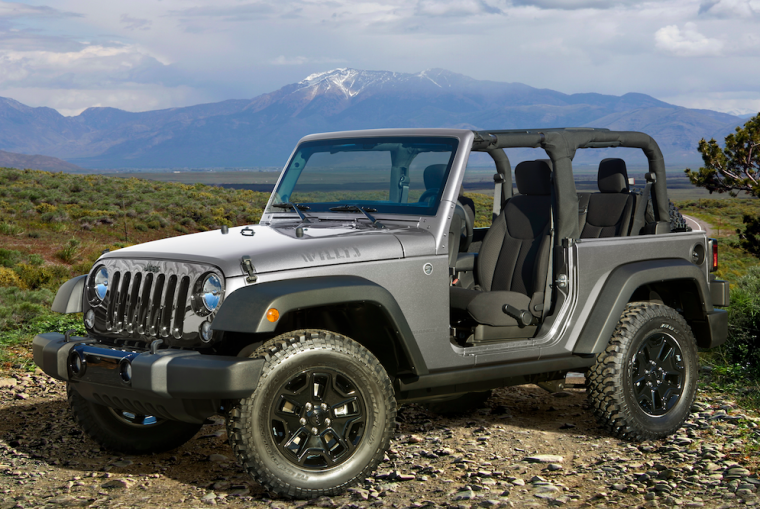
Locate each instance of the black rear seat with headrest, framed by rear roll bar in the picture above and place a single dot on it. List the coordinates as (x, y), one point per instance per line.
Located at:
(610, 211)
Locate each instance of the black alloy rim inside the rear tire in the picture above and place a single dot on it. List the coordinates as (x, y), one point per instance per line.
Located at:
(657, 374)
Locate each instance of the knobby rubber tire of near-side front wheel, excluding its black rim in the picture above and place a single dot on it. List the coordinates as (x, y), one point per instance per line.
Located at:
(311, 352)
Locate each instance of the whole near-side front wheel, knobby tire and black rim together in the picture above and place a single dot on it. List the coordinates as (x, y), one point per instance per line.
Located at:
(320, 419)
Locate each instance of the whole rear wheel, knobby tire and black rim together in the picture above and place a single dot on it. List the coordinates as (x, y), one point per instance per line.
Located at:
(643, 385)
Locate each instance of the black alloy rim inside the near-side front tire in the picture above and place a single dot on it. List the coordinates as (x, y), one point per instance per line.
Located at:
(318, 419)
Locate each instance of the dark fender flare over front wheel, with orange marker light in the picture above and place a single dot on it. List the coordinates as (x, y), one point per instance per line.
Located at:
(245, 310)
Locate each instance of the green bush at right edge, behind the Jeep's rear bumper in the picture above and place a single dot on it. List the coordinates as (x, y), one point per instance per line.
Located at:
(743, 345)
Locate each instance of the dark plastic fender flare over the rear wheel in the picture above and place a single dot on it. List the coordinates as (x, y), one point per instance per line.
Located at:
(626, 279)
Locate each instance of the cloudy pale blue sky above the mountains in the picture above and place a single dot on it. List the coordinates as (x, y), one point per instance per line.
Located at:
(142, 55)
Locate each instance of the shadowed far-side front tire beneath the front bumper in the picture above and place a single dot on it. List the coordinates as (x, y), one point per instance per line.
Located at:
(105, 426)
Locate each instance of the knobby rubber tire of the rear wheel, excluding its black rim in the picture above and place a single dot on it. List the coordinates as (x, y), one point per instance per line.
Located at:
(610, 385)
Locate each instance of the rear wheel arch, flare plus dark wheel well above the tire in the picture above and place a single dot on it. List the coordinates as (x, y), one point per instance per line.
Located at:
(674, 282)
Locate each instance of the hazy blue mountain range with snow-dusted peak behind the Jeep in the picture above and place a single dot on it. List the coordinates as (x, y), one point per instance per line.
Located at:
(262, 131)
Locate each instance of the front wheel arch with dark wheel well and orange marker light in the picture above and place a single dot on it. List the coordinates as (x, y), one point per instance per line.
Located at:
(348, 305)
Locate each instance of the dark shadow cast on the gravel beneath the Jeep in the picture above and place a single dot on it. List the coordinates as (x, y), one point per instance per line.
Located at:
(44, 430)
